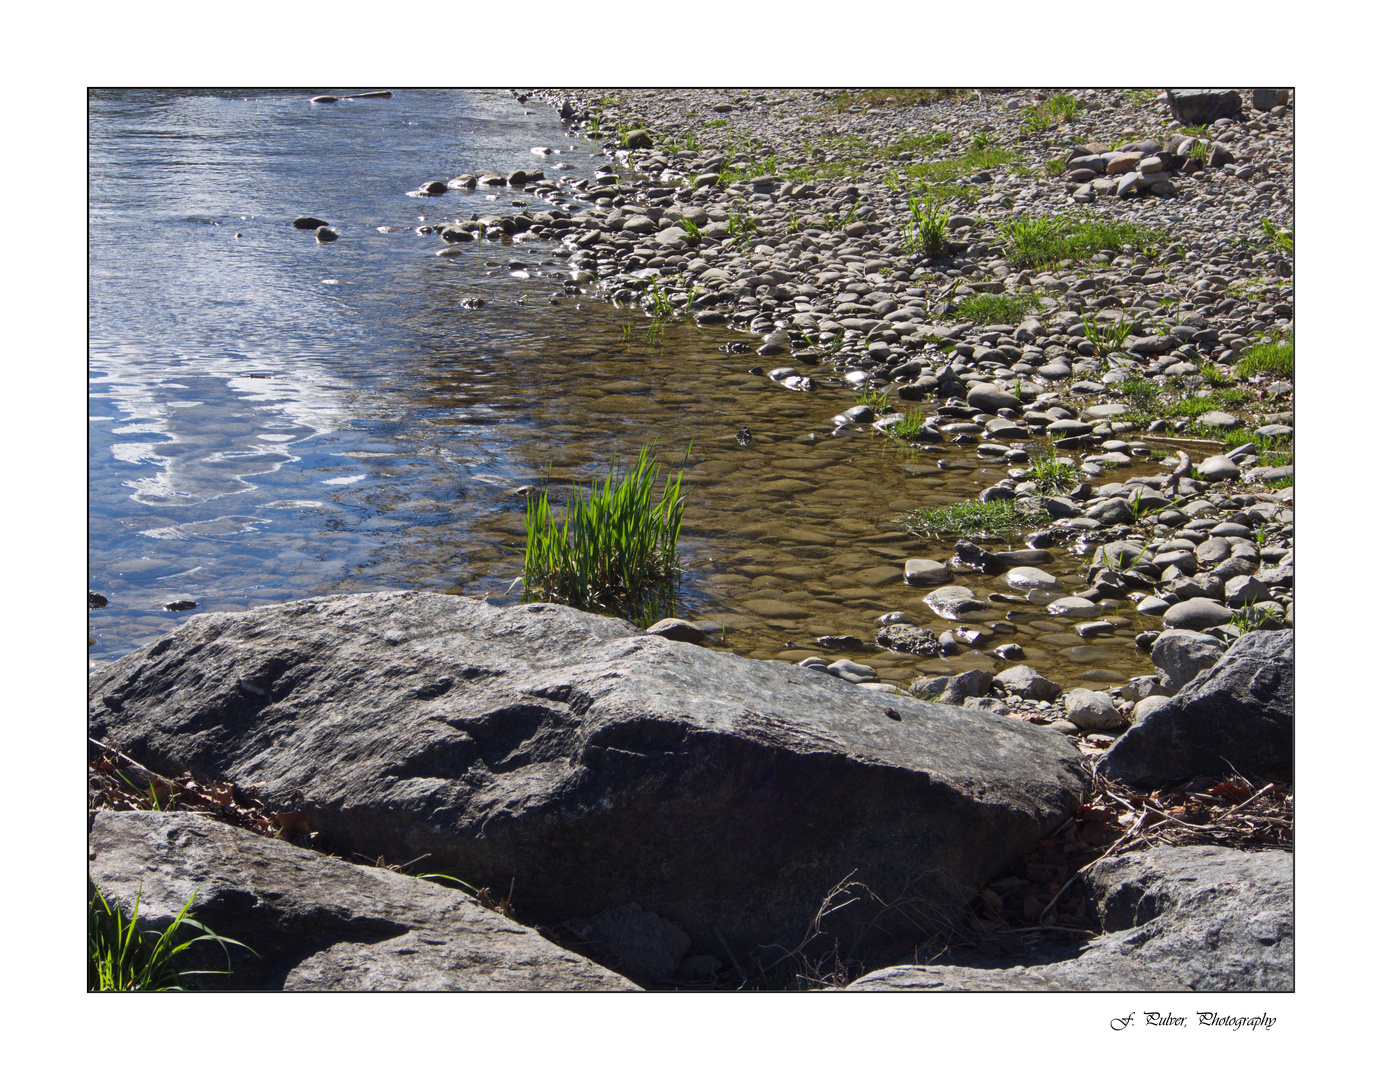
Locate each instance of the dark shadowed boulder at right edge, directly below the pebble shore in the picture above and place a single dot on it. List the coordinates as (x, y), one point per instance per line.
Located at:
(1239, 714)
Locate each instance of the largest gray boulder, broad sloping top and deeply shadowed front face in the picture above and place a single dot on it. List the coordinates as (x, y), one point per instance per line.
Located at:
(592, 765)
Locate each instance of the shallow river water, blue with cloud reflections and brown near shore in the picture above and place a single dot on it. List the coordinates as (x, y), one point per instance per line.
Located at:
(273, 418)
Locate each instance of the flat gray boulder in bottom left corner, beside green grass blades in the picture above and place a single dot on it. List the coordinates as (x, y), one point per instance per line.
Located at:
(319, 923)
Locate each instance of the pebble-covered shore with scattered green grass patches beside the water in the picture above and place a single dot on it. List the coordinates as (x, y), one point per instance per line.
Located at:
(1069, 284)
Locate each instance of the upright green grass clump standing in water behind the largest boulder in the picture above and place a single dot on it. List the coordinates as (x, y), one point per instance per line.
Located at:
(616, 550)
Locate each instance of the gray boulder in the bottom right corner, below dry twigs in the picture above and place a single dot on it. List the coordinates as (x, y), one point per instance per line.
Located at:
(1174, 919)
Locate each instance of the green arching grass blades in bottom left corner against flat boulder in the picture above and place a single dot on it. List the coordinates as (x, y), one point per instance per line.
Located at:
(124, 958)
